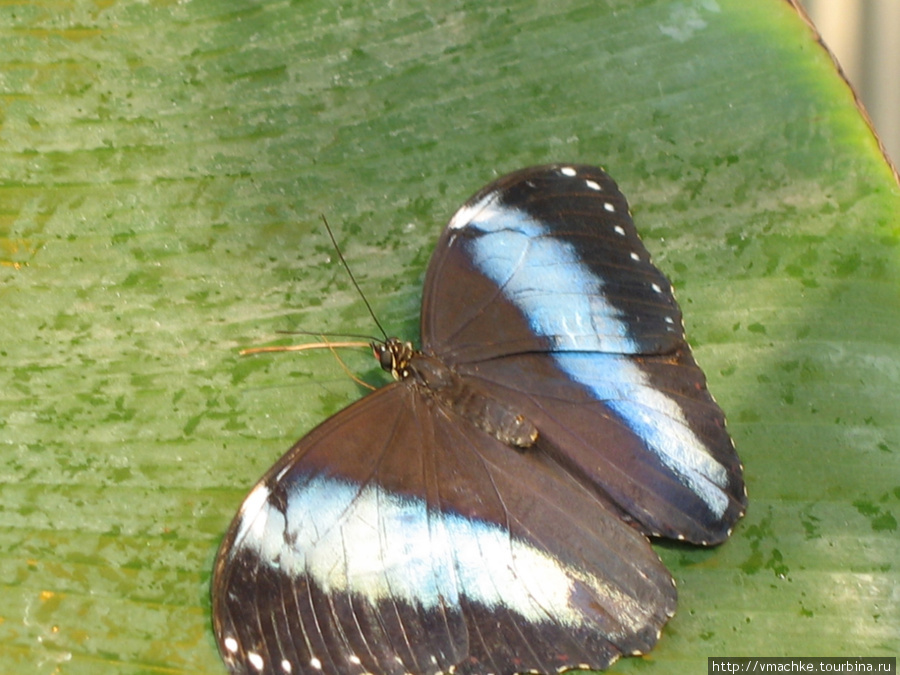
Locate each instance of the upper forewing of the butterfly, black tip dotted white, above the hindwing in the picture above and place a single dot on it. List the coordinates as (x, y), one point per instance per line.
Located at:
(551, 262)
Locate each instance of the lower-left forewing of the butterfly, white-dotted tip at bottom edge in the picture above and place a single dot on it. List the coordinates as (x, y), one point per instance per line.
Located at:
(312, 576)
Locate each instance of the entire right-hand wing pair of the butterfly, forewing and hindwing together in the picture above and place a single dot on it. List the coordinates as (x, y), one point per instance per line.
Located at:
(540, 286)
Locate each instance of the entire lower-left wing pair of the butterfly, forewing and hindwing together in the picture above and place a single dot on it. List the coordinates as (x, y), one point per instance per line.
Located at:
(398, 538)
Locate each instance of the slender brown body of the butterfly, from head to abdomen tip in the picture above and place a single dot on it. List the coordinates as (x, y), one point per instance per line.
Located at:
(443, 384)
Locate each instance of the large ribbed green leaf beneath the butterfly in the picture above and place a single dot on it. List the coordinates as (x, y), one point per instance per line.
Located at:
(163, 168)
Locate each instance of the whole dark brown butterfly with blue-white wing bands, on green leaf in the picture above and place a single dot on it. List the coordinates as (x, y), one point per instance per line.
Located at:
(488, 512)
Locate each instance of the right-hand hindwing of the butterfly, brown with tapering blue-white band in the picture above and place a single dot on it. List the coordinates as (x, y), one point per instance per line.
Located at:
(662, 455)
